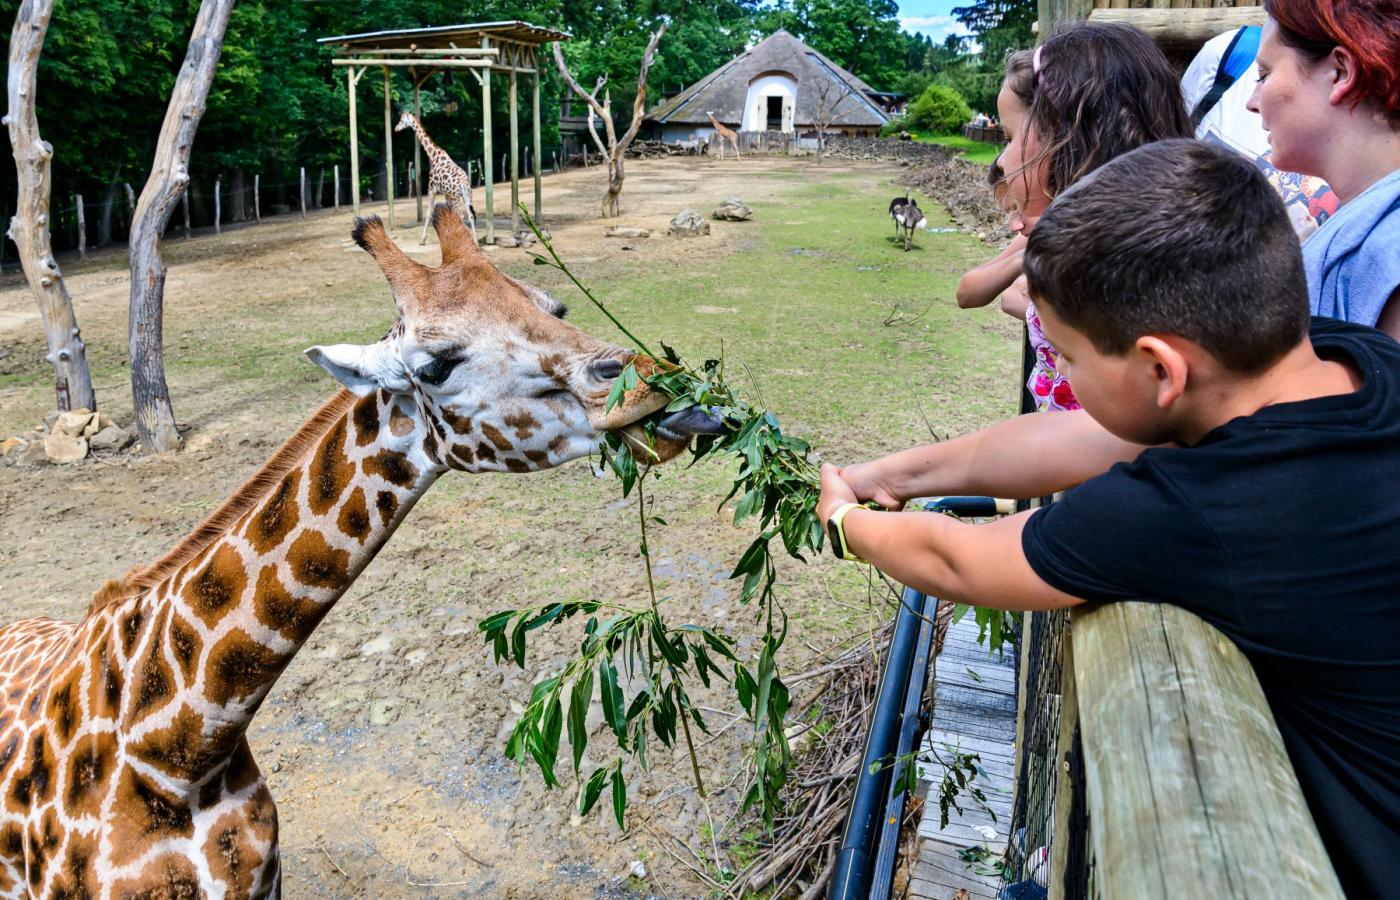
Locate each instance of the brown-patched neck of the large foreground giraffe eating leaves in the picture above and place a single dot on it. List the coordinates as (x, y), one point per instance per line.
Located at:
(204, 649)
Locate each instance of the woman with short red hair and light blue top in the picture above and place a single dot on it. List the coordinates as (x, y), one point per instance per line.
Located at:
(1329, 97)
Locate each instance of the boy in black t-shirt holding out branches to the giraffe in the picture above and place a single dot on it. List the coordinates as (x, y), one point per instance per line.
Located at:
(1172, 285)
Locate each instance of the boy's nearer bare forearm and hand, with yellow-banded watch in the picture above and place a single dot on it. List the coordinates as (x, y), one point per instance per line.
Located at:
(979, 565)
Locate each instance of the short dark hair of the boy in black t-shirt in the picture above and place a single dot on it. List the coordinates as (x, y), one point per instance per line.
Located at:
(1181, 239)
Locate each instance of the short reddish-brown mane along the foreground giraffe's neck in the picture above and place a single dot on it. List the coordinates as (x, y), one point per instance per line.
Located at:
(302, 443)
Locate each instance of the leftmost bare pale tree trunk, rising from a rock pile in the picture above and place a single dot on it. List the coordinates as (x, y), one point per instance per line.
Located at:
(30, 227)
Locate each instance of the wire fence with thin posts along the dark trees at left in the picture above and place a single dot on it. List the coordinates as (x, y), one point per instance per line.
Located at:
(79, 223)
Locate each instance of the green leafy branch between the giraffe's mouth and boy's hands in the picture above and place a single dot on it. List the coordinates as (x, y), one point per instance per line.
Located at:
(639, 664)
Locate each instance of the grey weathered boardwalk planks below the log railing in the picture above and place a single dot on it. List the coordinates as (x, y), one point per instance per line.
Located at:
(975, 710)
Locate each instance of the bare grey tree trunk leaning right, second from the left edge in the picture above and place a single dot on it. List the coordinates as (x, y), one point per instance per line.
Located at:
(170, 176)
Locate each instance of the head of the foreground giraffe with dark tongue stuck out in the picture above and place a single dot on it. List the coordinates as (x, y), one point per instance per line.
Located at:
(489, 366)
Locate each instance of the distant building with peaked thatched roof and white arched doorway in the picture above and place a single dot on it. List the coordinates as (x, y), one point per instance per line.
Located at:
(780, 85)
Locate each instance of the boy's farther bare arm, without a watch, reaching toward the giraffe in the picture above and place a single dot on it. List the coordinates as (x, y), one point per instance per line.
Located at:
(1020, 458)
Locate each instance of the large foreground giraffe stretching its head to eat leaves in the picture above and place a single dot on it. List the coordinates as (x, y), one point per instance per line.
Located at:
(125, 771)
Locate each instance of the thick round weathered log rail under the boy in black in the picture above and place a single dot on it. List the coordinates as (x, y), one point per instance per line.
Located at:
(1189, 787)
